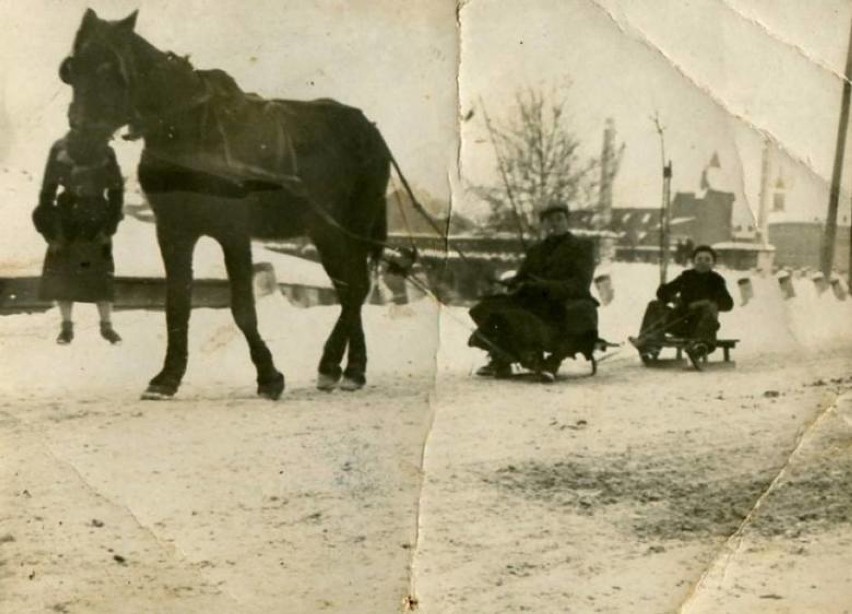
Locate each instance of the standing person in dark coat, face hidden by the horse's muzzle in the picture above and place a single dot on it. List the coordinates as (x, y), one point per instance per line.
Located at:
(78, 225)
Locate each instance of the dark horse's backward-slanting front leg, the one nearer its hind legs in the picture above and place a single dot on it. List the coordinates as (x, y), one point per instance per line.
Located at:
(270, 382)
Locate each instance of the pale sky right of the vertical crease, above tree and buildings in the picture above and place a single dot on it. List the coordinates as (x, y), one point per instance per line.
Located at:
(720, 73)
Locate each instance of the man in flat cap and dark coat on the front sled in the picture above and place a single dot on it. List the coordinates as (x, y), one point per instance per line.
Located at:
(548, 313)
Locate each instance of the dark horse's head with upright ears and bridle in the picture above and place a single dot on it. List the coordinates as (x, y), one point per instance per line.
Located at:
(102, 73)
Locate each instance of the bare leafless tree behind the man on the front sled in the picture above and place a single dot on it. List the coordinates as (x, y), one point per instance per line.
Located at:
(539, 162)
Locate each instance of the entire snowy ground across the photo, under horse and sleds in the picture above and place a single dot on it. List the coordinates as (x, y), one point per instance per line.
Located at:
(617, 493)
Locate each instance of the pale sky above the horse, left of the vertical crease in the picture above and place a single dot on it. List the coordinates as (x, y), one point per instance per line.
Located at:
(397, 61)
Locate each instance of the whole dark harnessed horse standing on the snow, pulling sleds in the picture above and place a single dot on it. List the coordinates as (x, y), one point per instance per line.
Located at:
(230, 165)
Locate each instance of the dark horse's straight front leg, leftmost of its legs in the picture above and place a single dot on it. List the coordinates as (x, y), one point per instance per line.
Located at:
(176, 250)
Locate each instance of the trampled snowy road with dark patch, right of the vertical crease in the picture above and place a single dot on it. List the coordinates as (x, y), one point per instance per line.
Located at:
(616, 494)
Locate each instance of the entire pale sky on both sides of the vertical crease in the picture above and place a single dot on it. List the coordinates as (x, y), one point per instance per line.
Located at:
(720, 73)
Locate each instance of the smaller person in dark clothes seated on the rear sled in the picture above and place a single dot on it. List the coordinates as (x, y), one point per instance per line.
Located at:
(697, 296)
